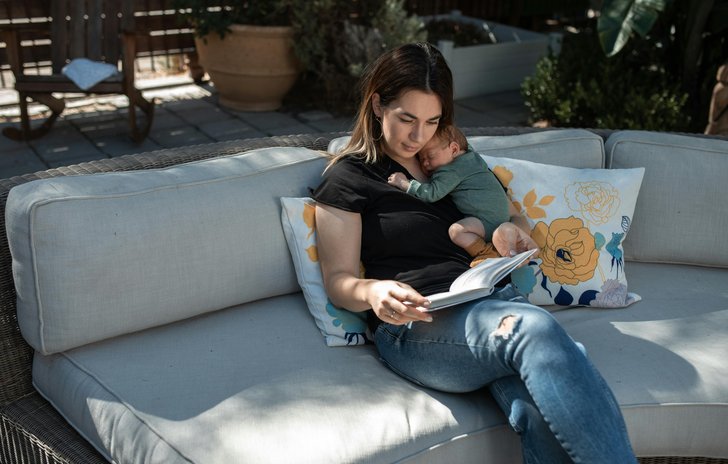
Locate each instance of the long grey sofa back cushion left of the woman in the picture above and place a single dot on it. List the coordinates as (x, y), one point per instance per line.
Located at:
(102, 255)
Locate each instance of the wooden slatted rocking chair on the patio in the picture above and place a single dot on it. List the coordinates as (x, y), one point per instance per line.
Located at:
(99, 30)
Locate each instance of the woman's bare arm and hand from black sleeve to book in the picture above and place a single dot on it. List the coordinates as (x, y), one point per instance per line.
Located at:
(339, 244)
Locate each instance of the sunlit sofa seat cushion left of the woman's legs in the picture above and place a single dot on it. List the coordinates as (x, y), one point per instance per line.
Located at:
(254, 383)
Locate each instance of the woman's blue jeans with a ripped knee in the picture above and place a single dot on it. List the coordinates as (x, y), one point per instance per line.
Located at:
(552, 395)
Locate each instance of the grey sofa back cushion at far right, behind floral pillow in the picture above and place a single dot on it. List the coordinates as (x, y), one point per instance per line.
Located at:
(681, 214)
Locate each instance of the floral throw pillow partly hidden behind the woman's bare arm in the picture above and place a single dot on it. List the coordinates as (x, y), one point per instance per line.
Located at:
(339, 326)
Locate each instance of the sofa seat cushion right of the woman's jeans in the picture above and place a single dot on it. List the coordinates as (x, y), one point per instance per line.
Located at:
(664, 358)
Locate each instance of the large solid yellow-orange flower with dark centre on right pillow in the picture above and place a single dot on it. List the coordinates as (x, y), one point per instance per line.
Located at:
(568, 251)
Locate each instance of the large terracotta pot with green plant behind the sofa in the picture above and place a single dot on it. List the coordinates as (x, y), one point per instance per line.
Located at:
(246, 47)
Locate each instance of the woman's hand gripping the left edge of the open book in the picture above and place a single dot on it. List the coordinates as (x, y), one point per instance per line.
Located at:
(397, 303)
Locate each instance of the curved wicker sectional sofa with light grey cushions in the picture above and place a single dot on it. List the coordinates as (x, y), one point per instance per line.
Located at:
(151, 312)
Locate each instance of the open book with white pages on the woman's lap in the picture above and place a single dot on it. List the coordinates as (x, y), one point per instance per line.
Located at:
(478, 281)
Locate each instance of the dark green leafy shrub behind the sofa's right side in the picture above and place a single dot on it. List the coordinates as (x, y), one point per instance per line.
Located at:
(581, 87)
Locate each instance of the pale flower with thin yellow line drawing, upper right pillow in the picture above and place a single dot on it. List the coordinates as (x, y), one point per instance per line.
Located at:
(596, 201)
